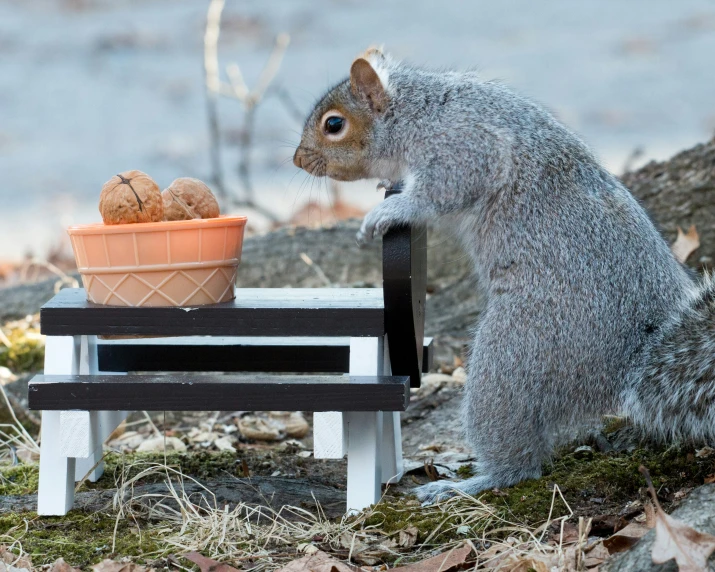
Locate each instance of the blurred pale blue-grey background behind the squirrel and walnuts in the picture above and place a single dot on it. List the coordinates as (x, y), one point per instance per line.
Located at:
(90, 88)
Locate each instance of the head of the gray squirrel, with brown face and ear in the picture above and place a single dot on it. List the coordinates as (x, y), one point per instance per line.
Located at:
(338, 138)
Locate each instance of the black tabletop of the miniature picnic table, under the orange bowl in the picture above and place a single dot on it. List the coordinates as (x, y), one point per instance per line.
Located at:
(255, 312)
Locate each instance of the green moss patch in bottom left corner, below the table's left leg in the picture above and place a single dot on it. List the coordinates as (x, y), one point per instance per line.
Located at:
(81, 539)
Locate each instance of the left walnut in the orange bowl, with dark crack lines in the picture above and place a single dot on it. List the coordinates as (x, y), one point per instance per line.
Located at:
(130, 197)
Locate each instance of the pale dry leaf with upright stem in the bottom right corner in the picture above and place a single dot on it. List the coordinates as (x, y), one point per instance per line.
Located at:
(676, 540)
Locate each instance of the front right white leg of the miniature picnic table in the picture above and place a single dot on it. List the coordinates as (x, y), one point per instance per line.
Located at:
(364, 430)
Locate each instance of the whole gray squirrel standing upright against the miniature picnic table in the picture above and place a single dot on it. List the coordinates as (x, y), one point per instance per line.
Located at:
(588, 311)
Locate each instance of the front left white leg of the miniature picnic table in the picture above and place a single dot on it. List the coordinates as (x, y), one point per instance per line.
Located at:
(56, 487)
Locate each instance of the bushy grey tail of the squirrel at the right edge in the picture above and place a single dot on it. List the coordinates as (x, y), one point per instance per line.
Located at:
(672, 395)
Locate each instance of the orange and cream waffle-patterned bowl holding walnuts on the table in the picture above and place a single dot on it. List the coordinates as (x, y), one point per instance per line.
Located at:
(177, 263)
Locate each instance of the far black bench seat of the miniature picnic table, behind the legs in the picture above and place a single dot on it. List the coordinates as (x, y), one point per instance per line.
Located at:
(298, 358)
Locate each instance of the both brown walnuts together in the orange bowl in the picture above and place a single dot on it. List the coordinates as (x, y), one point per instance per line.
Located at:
(134, 196)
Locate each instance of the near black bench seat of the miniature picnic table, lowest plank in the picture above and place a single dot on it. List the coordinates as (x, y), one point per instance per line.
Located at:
(191, 392)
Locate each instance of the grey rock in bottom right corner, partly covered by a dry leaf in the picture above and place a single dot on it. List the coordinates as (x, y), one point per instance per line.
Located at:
(698, 511)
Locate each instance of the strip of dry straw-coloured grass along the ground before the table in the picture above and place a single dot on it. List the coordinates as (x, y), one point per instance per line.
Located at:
(269, 538)
